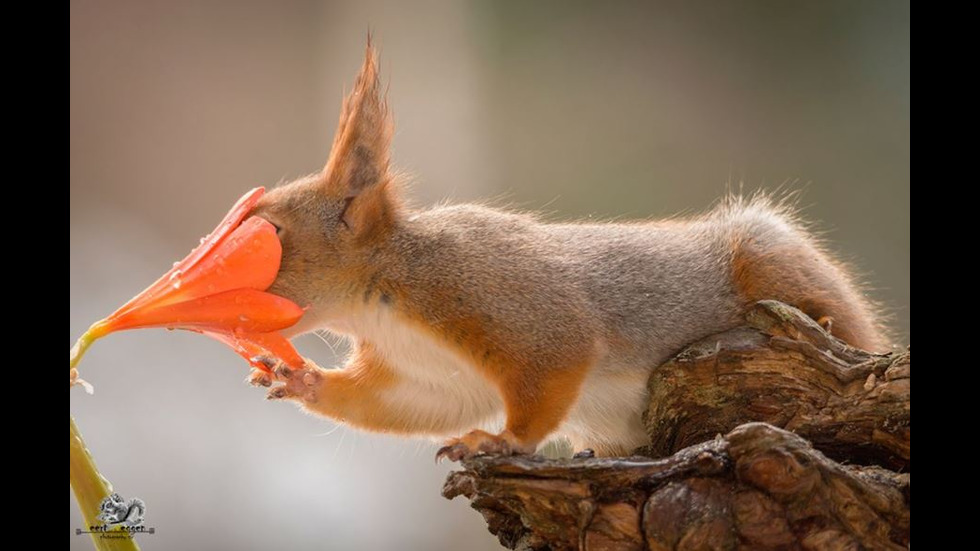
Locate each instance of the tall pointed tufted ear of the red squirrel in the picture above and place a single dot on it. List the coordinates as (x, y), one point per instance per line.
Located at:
(359, 156)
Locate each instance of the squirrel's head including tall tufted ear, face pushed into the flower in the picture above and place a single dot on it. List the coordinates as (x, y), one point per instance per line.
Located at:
(332, 223)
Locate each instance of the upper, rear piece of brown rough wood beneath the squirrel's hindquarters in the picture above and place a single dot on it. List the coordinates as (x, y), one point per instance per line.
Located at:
(785, 370)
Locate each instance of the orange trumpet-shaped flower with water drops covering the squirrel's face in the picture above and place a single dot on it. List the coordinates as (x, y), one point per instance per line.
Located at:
(218, 290)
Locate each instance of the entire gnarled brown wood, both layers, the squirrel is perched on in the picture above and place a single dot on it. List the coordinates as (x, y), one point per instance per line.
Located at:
(759, 486)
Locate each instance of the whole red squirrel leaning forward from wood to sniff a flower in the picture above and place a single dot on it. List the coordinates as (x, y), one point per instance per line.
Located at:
(460, 315)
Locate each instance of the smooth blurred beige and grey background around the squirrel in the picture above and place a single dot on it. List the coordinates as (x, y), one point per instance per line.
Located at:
(578, 108)
